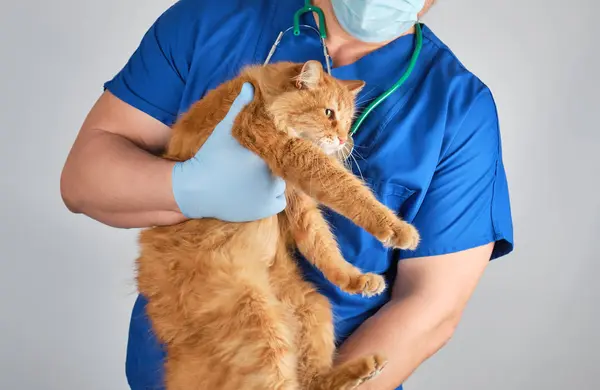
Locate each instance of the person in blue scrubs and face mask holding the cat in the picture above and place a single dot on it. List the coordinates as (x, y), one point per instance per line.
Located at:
(431, 151)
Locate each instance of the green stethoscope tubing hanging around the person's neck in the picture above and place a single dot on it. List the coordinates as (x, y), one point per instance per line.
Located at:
(308, 7)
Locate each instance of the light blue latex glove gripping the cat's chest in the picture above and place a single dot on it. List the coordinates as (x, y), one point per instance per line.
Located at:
(226, 181)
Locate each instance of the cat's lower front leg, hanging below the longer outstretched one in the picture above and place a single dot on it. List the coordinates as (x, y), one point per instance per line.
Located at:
(316, 242)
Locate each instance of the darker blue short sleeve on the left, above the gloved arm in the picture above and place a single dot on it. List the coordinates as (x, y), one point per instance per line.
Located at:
(154, 78)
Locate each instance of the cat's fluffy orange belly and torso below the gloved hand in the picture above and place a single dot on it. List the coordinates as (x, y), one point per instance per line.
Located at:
(213, 302)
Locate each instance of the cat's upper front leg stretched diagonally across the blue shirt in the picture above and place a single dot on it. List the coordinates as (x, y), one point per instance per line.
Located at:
(304, 165)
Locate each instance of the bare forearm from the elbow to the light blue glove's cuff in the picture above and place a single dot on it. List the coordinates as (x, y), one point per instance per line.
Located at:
(112, 180)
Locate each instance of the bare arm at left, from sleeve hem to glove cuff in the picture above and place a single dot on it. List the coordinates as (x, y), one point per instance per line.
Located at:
(111, 173)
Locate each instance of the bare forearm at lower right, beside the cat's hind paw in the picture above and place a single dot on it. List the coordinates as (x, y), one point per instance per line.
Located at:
(407, 332)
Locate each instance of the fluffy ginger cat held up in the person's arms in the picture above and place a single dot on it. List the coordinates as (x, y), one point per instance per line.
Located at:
(227, 299)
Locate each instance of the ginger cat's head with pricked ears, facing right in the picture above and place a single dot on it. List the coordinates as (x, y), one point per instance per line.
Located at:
(318, 107)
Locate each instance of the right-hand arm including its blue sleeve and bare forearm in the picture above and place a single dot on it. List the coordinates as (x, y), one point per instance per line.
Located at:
(463, 226)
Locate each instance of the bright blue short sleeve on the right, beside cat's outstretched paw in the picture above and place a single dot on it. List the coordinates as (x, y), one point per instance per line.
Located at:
(467, 202)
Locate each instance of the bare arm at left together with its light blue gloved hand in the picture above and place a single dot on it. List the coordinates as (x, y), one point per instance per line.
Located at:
(113, 175)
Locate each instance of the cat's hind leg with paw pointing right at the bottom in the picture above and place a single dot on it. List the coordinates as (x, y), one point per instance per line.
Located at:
(314, 335)
